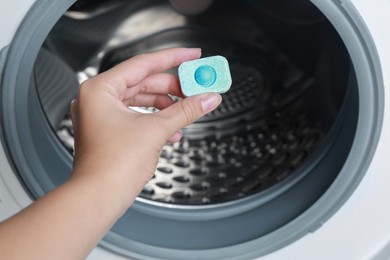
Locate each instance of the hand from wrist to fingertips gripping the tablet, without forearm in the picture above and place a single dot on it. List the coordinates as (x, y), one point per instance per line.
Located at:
(117, 147)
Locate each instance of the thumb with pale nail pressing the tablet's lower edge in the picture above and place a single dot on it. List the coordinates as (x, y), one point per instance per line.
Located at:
(190, 109)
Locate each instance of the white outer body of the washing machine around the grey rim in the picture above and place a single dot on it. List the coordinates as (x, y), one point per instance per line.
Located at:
(359, 229)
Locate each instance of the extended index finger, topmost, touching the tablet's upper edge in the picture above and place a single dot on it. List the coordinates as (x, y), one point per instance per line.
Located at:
(134, 70)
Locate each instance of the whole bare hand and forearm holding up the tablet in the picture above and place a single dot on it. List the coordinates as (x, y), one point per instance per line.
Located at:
(116, 153)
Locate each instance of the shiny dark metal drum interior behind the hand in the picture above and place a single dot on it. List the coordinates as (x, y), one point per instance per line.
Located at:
(267, 126)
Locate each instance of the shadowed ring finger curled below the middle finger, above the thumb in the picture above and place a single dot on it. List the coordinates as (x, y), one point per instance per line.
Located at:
(150, 100)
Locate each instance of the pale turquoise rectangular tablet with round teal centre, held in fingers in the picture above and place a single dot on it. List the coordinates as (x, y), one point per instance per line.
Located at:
(204, 75)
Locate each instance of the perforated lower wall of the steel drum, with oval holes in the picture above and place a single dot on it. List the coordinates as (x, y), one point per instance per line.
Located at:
(218, 169)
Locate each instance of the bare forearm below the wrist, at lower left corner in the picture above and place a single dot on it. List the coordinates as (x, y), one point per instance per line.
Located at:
(67, 223)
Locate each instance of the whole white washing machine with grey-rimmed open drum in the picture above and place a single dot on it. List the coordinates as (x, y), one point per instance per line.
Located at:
(293, 164)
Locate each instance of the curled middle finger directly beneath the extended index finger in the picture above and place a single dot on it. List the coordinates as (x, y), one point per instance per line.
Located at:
(162, 83)
